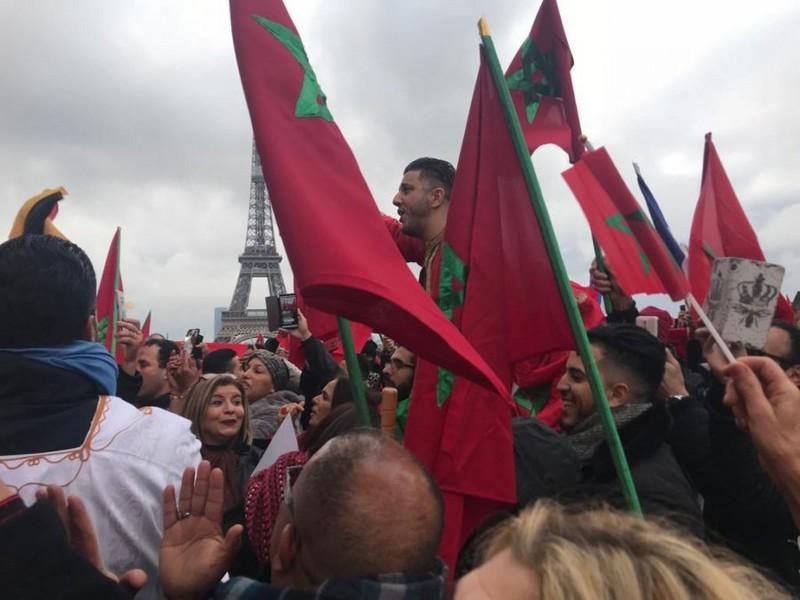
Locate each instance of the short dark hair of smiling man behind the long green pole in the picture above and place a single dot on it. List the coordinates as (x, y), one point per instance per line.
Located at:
(633, 350)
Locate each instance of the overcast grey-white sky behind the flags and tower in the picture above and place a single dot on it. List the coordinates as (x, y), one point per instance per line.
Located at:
(137, 109)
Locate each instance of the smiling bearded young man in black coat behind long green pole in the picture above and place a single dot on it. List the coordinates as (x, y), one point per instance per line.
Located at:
(631, 363)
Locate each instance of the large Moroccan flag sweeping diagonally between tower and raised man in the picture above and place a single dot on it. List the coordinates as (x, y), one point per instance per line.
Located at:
(343, 259)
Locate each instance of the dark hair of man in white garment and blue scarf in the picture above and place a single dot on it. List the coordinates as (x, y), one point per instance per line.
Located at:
(47, 292)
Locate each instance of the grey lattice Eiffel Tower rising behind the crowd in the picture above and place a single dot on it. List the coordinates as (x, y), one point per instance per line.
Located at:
(259, 259)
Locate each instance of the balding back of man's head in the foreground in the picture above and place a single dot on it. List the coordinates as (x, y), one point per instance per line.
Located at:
(365, 506)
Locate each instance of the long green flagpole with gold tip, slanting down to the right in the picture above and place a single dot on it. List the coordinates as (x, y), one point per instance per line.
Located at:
(557, 264)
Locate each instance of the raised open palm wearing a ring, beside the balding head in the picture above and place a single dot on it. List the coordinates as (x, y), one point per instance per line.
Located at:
(195, 554)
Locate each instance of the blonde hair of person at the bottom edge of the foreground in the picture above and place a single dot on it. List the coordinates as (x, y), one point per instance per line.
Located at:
(605, 555)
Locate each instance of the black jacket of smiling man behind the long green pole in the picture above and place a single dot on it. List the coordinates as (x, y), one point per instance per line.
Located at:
(660, 483)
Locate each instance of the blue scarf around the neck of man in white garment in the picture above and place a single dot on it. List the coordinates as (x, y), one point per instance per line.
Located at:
(89, 359)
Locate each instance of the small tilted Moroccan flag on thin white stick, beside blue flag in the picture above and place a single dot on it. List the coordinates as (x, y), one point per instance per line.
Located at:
(636, 254)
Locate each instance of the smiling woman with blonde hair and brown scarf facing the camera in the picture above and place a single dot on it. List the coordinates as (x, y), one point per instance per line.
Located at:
(217, 407)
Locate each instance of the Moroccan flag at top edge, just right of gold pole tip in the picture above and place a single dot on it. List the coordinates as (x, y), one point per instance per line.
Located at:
(541, 87)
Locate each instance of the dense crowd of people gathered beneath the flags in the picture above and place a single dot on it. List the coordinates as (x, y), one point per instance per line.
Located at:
(144, 477)
